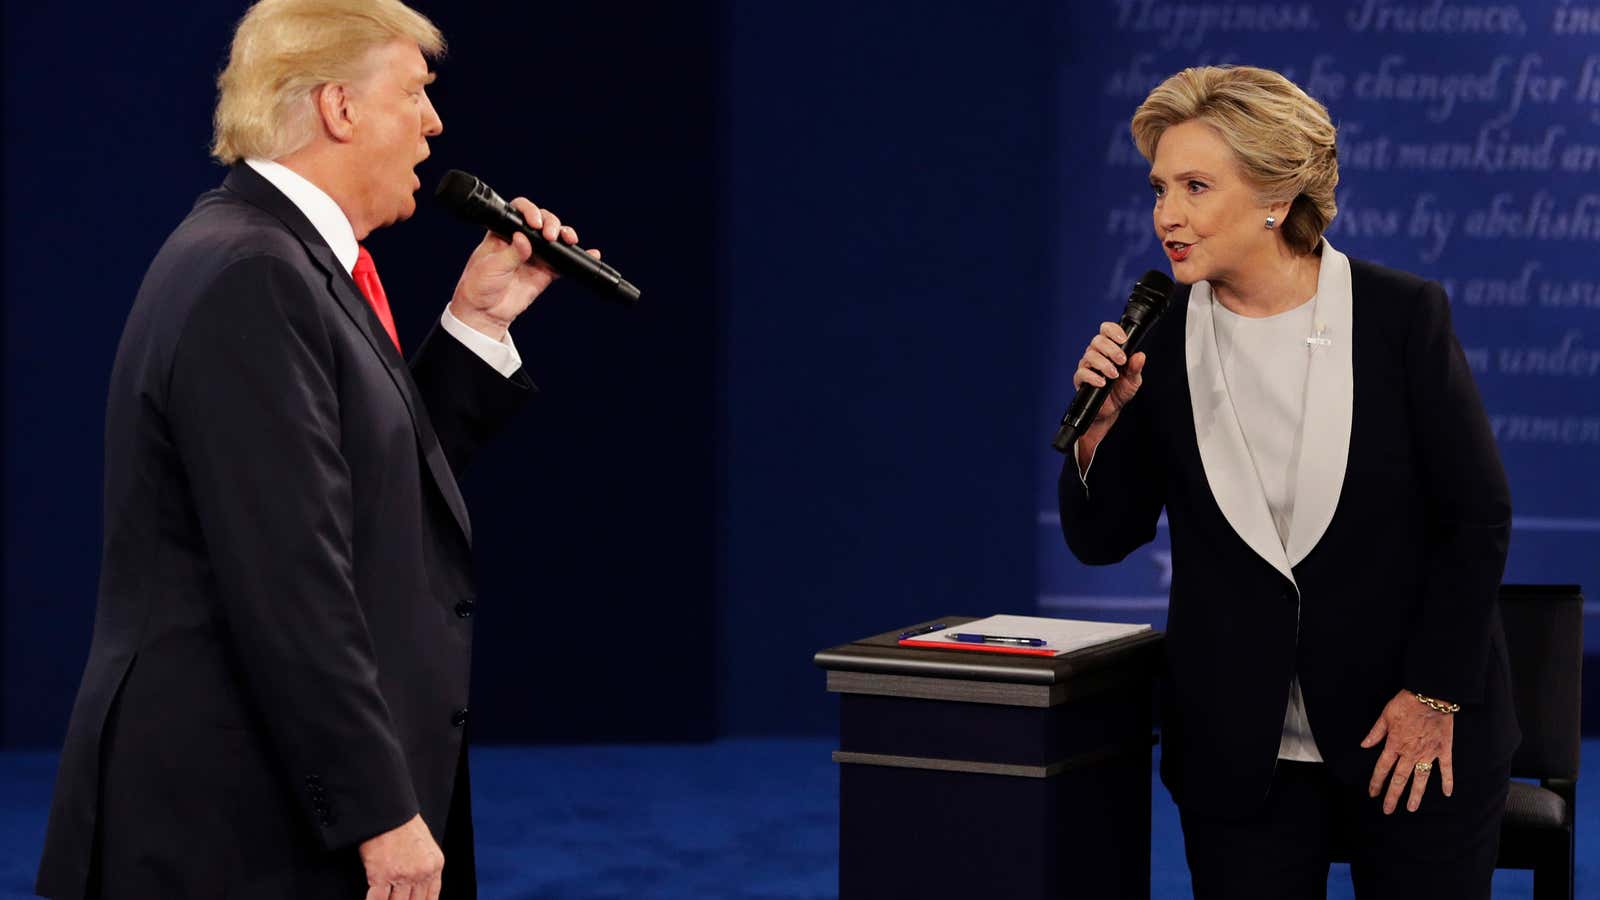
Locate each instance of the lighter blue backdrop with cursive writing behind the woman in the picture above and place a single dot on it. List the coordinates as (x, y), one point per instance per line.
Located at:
(1470, 148)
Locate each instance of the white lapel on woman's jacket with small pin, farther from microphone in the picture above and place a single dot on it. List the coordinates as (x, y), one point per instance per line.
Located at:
(1330, 400)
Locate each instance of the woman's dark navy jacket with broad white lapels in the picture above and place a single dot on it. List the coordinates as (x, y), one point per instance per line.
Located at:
(1396, 576)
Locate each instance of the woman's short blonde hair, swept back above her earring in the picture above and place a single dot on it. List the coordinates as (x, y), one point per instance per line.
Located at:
(1284, 140)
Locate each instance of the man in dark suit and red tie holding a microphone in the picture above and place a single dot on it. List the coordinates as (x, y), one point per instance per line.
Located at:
(276, 696)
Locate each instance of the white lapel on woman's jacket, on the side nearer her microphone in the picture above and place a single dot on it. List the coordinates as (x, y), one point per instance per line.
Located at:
(1223, 452)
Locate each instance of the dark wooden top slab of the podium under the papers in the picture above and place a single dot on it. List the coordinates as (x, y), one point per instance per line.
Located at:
(882, 654)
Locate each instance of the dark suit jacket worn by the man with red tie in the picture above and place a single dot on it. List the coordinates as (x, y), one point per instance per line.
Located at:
(282, 641)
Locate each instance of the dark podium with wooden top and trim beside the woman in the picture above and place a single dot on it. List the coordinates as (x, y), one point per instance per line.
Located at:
(969, 774)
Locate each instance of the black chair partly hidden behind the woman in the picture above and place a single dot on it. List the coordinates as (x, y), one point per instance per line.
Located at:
(1545, 638)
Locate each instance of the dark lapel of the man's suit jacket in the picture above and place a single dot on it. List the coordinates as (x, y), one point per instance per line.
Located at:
(244, 182)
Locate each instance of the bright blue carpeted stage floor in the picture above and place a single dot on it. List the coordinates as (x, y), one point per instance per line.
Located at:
(735, 819)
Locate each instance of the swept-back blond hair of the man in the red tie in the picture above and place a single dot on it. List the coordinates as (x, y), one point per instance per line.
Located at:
(287, 49)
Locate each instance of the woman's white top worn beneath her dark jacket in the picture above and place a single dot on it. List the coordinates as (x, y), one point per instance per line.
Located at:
(1265, 368)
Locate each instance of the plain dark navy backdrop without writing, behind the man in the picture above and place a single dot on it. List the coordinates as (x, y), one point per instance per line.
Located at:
(818, 424)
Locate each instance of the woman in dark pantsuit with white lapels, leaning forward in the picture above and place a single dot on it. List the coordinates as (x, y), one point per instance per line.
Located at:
(1340, 518)
